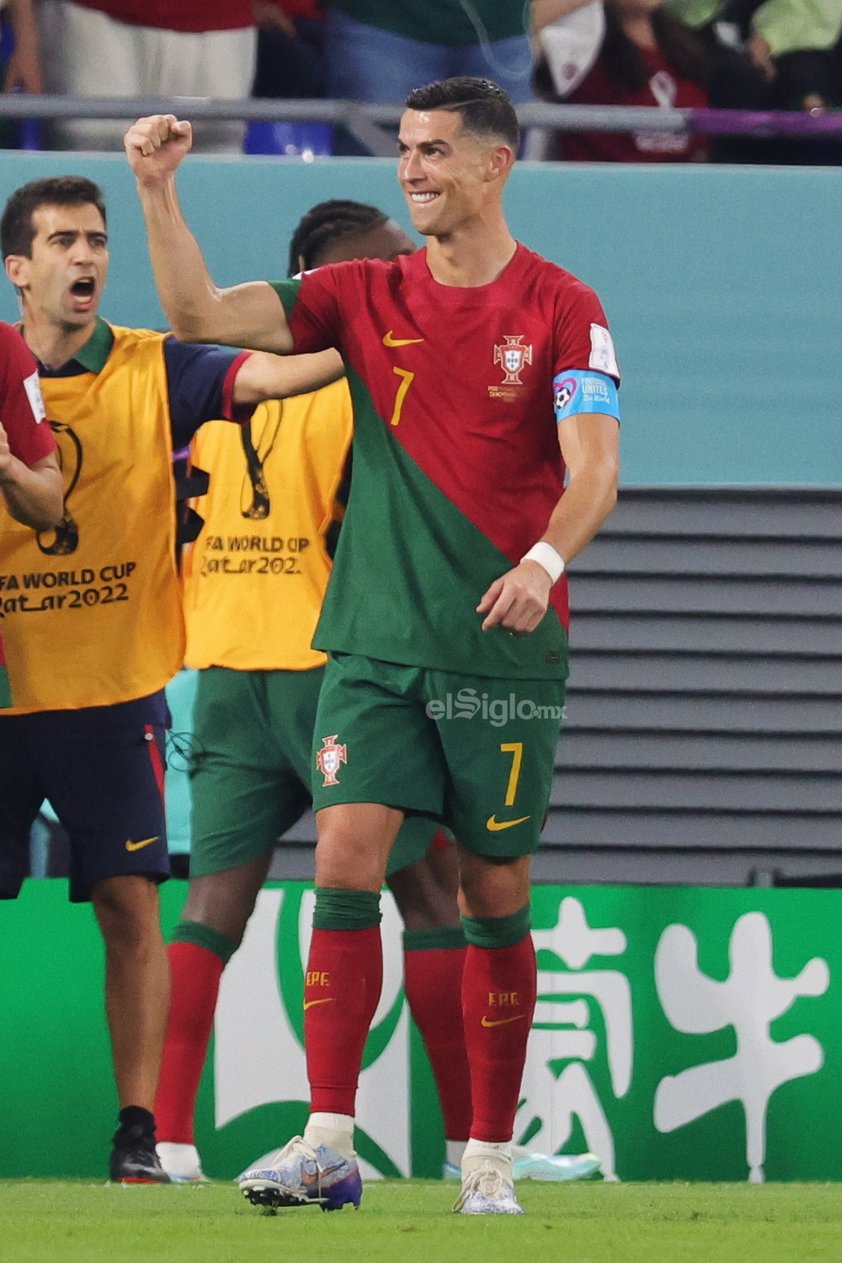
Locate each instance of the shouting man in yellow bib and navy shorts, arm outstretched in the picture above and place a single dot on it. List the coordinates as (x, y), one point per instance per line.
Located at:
(93, 616)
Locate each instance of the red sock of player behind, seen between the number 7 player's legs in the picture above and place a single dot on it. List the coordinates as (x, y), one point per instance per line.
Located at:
(434, 986)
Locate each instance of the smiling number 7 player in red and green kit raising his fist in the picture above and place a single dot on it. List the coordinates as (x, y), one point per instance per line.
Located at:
(482, 376)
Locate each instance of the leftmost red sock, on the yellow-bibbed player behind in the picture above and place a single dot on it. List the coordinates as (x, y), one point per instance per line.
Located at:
(196, 976)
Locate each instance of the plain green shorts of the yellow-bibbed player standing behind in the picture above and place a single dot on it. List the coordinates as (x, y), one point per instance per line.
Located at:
(252, 769)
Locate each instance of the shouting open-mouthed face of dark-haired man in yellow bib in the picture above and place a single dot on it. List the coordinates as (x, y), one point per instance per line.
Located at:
(62, 280)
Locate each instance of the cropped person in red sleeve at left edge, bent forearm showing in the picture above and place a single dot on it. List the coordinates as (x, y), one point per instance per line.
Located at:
(31, 482)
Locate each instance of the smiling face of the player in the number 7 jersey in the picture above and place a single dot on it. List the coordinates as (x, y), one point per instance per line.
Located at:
(449, 176)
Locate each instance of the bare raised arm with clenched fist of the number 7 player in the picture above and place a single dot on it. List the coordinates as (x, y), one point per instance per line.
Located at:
(199, 311)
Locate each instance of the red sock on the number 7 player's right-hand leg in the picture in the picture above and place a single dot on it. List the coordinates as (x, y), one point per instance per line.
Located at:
(499, 988)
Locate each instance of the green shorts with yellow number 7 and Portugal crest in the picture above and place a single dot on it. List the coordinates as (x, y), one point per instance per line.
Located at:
(473, 752)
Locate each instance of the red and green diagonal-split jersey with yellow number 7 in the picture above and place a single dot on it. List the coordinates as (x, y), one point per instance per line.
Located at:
(456, 458)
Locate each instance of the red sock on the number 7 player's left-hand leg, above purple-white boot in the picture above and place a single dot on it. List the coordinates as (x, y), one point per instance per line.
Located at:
(341, 993)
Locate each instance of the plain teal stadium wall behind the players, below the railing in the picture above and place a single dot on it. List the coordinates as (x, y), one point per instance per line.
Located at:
(721, 285)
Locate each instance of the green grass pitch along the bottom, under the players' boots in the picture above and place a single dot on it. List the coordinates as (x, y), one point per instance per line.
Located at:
(76, 1222)
